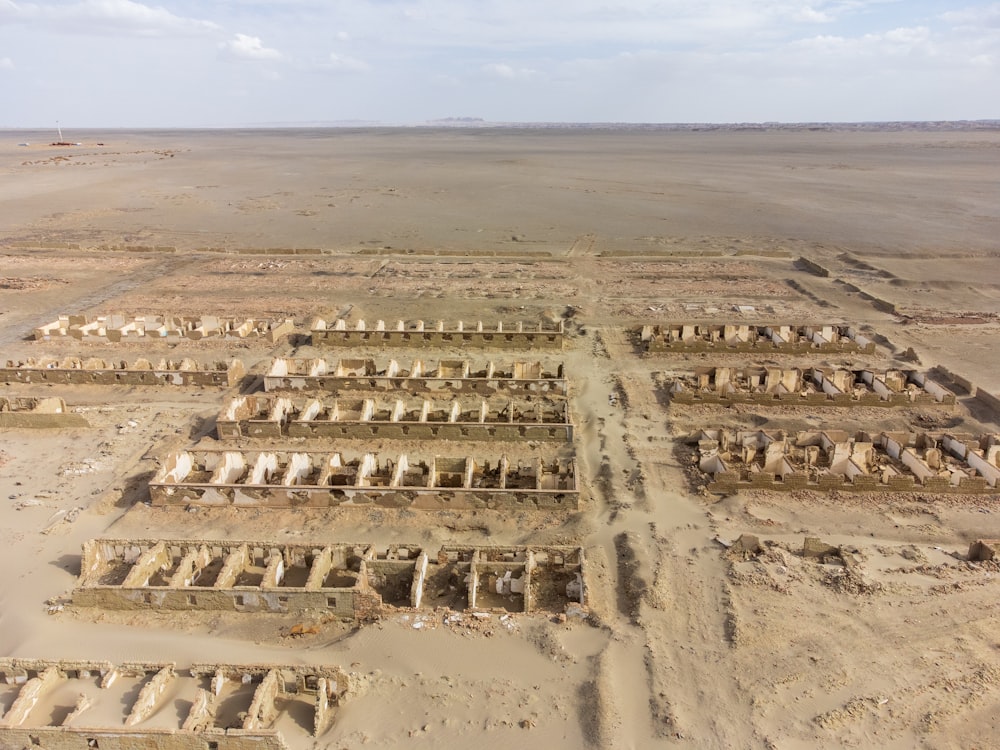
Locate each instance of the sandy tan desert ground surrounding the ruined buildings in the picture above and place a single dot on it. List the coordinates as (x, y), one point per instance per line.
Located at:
(686, 641)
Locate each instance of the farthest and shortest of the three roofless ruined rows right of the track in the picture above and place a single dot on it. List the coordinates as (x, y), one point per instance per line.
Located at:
(743, 337)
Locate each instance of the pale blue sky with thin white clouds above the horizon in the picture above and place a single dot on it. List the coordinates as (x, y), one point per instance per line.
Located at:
(232, 63)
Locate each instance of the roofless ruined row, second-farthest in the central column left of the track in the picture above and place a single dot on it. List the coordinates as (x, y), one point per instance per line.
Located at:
(454, 376)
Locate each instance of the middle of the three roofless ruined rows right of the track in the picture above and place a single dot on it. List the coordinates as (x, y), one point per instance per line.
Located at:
(814, 386)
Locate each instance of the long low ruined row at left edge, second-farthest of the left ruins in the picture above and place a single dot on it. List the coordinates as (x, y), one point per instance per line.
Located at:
(94, 371)
